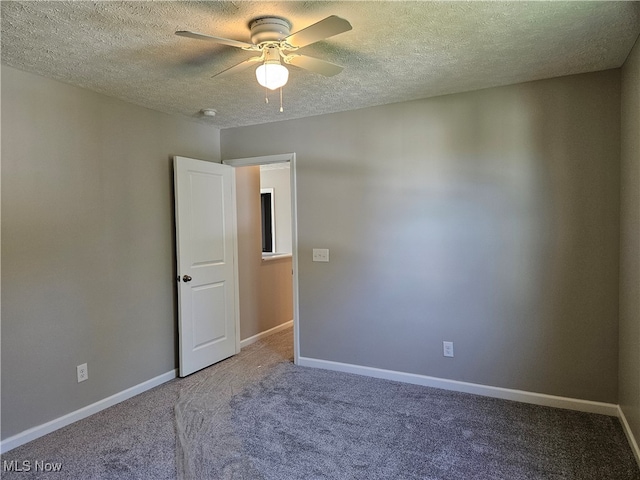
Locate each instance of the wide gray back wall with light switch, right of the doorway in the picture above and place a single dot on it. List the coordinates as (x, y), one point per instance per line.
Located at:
(490, 219)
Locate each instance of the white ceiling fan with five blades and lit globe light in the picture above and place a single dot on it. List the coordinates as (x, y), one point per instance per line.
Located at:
(272, 41)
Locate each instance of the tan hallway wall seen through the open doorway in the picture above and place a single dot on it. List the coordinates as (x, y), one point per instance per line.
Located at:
(266, 294)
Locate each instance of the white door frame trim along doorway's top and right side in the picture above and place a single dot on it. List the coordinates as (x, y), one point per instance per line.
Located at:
(291, 159)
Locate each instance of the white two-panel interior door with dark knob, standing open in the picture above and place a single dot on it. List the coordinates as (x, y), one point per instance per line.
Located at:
(207, 268)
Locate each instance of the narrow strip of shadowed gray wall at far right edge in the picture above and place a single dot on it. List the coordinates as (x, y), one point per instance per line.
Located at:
(630, 244)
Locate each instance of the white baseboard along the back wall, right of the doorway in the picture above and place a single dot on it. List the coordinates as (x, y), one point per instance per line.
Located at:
(477, 389)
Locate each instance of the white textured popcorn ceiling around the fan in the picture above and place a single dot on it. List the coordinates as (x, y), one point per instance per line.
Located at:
(396, 51)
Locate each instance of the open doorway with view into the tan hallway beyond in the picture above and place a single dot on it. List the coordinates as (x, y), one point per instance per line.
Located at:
(268, 280)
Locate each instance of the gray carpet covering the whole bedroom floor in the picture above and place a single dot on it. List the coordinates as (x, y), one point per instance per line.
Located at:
(257, 416)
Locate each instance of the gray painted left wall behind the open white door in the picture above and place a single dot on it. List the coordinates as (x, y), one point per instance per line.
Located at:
(87, 245)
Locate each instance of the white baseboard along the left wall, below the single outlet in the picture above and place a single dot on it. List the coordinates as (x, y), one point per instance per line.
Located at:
(41, 430)
